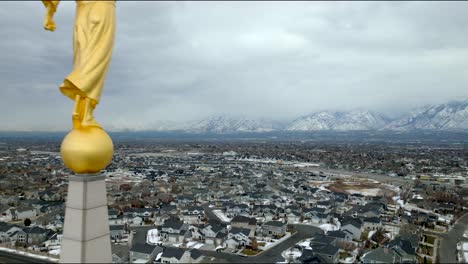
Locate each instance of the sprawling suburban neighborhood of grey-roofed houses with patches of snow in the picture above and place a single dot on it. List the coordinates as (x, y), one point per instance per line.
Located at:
(194, 203)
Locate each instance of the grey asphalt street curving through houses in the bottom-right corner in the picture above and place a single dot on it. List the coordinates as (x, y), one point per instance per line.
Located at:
(448, 243)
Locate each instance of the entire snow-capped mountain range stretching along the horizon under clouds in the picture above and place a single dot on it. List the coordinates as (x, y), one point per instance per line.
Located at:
(449, 116)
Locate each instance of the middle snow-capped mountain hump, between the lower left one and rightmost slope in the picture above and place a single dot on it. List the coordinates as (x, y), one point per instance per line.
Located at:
(326, 120)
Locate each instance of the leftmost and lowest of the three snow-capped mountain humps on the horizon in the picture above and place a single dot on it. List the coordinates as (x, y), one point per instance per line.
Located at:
(224, 124)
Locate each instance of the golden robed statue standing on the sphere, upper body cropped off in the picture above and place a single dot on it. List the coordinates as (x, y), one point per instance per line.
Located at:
(93, 41)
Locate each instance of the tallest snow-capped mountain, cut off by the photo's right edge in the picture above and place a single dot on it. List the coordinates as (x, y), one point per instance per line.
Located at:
(449, 116)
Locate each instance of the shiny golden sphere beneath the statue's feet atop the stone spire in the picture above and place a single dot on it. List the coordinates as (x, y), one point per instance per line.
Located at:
(87, 150)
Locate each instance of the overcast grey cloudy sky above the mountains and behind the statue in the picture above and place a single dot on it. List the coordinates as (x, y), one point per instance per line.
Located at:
(181, 61)
